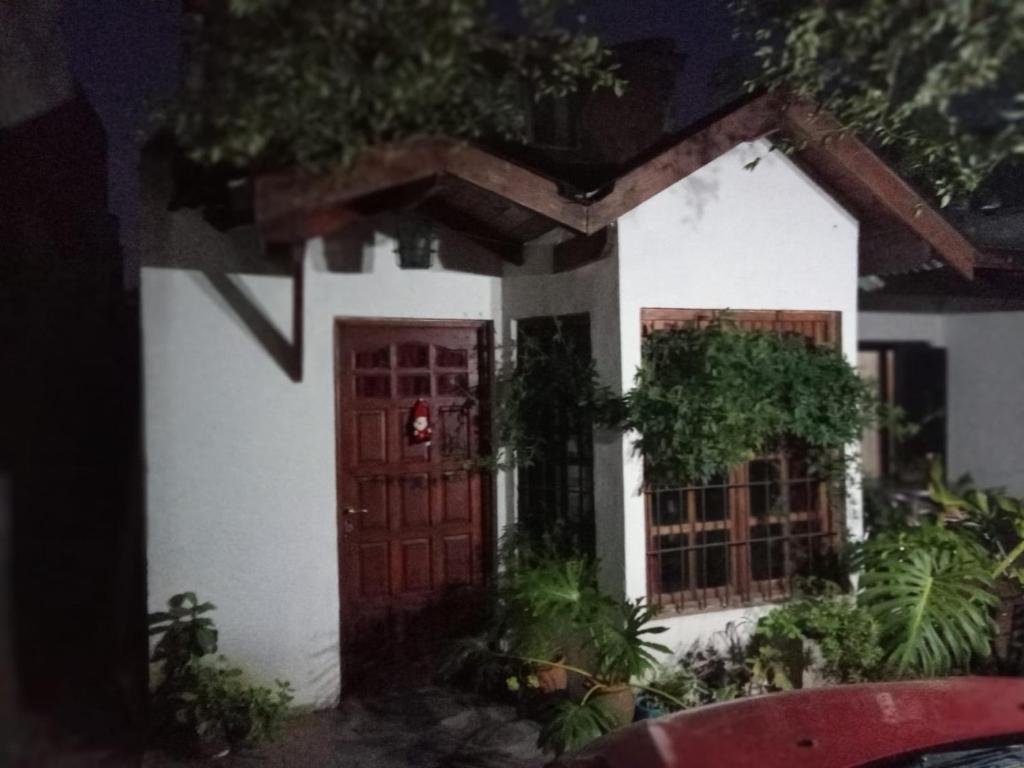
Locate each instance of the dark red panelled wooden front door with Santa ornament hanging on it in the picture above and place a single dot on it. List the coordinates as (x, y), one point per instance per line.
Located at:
(411, 517)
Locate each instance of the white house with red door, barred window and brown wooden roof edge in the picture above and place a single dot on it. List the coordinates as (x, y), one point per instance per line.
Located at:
(283, 483)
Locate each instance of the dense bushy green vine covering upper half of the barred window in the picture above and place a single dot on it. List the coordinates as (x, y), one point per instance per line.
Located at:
(707, 400)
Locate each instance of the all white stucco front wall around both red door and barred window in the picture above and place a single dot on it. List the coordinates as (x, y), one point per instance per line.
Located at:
(241, 459)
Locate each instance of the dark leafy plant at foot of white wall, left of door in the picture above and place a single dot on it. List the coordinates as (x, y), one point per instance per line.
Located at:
(196, 700)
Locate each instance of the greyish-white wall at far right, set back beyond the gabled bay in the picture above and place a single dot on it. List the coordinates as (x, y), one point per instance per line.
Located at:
(985, 391)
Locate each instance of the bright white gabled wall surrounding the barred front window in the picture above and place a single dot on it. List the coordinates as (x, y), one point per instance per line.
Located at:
(729, 238)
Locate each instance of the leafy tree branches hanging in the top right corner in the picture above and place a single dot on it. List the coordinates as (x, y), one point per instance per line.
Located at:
(940, 87)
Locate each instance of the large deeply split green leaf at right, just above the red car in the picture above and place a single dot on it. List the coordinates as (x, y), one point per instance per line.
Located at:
(930, 589)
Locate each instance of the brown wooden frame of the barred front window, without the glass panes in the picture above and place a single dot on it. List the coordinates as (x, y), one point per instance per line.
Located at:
(741, 589)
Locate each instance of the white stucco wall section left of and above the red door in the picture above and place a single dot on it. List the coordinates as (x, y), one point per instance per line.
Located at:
(241, 459)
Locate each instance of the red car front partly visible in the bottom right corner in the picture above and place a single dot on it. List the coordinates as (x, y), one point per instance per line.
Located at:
(963, 721)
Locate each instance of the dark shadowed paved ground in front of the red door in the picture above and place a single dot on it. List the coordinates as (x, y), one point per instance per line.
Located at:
(426, 729)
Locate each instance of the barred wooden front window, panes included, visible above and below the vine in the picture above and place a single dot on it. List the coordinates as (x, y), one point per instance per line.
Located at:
(744, 536)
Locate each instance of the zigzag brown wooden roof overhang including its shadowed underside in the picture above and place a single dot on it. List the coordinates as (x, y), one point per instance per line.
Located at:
(502, 205)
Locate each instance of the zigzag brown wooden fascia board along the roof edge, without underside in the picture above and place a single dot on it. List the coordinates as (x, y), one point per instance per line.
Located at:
(300, 205)
